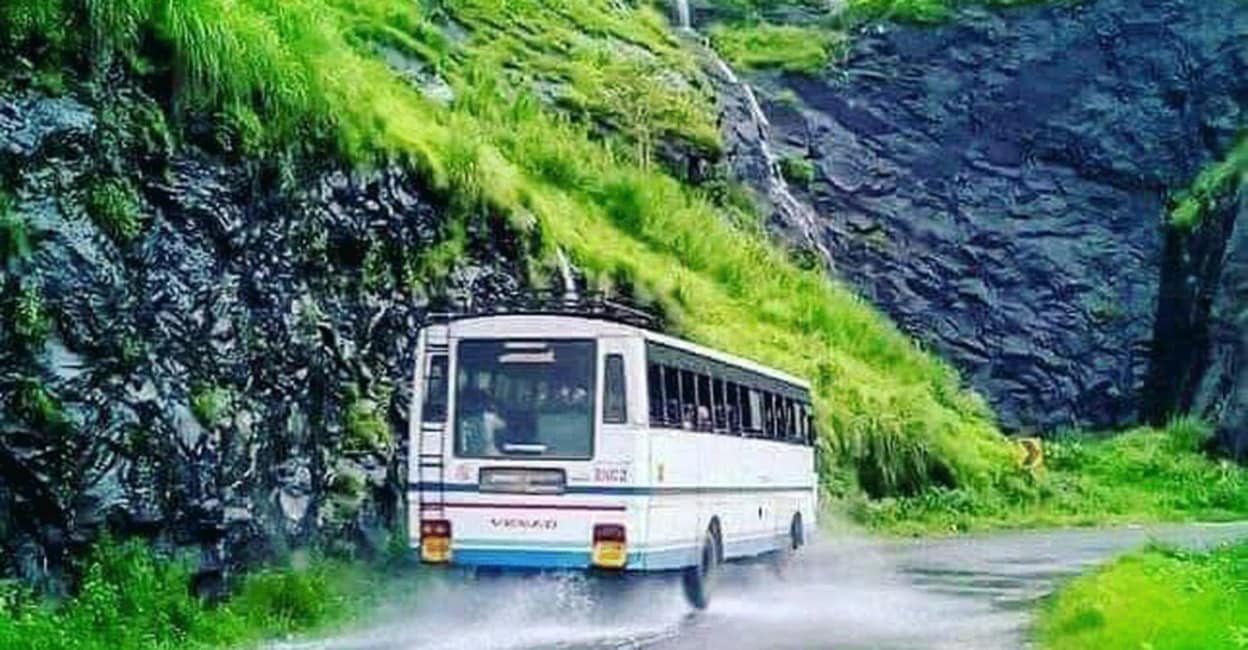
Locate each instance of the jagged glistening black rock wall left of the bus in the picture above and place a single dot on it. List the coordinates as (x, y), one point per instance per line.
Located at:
(194, 381)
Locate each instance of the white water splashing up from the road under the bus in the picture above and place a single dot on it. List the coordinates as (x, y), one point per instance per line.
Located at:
(839, 594)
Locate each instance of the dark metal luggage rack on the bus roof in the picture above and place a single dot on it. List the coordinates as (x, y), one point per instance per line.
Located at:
(595, 305)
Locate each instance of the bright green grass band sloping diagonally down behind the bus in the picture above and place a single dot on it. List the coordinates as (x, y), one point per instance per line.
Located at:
(321, 69)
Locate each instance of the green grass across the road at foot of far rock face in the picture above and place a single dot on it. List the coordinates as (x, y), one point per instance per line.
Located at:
(1141, 476)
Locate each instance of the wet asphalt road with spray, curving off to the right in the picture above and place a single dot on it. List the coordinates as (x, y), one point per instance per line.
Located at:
(962, 593)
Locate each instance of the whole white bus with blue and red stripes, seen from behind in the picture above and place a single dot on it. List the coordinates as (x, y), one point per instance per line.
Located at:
(551, 441)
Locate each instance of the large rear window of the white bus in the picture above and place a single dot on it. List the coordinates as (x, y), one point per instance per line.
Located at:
(525, 400)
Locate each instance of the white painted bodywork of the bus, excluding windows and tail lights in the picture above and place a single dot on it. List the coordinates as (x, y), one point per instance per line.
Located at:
(665, 486)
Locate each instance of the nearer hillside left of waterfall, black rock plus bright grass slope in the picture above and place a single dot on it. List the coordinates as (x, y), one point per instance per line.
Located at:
(225, 220)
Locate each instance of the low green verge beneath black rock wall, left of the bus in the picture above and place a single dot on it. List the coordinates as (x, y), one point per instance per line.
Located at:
(132, 598)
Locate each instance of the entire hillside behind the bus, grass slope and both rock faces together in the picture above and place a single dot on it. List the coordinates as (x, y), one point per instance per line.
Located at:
(224, 221)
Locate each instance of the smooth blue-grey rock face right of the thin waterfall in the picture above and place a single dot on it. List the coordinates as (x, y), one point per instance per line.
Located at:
(999, 185)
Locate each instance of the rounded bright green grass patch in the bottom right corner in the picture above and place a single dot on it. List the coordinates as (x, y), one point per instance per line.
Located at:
(1159, 601)
